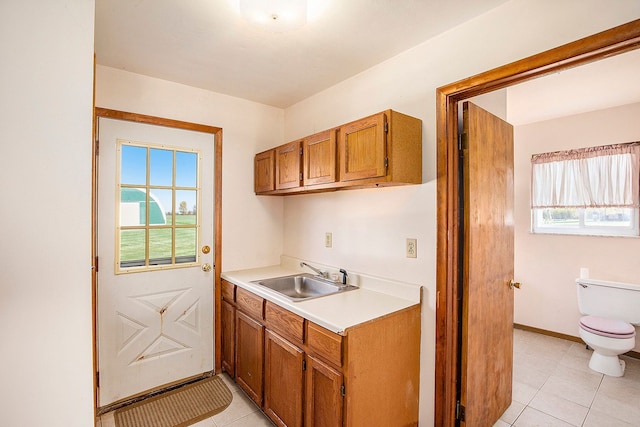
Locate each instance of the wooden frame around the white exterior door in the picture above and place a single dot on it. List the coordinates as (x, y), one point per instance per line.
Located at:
(217, 217)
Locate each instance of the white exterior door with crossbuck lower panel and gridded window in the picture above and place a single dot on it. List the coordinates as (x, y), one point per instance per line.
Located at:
(154, 327)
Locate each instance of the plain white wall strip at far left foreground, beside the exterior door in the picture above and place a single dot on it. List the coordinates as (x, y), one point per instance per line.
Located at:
(46, 78)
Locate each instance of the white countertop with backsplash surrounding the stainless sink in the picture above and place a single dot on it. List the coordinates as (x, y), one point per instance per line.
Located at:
(376, 297)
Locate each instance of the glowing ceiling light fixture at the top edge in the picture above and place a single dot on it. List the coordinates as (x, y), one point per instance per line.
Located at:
(275, 15)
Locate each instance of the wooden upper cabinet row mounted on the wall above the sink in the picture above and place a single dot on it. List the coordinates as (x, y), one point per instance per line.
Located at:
(380, 150)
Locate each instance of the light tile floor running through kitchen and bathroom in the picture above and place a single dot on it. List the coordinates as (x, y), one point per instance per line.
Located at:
(552, 386)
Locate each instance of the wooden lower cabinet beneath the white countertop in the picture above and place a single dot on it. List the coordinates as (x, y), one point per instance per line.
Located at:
(302, 374)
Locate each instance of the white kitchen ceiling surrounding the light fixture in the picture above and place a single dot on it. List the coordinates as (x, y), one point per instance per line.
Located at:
(205, 43)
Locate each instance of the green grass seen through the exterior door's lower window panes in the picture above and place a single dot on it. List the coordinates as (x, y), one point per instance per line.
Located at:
(132, 242)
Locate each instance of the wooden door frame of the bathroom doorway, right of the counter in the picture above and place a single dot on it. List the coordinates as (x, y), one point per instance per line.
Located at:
(598, 46)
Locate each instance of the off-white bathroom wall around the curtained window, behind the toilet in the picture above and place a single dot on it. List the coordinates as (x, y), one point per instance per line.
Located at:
(547, 265)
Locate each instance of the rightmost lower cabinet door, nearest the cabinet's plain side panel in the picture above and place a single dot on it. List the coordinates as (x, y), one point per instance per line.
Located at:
(323, 395)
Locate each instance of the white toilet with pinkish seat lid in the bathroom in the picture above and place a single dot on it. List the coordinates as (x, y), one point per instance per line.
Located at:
(610, 312)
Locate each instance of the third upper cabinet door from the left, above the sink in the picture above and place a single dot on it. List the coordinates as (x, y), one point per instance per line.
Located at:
(319, 158)
